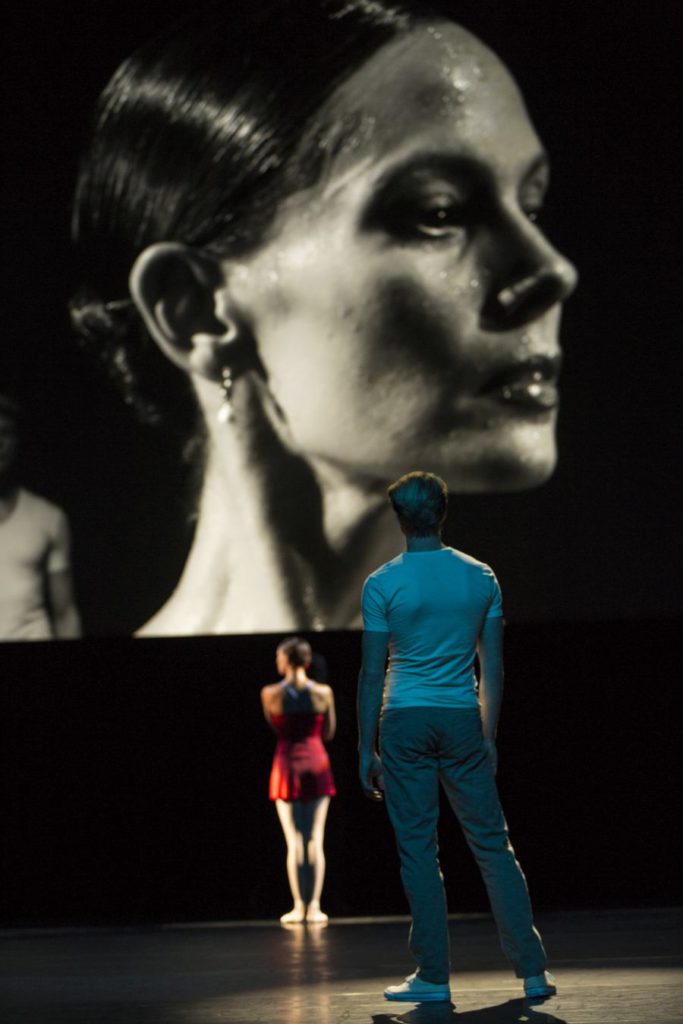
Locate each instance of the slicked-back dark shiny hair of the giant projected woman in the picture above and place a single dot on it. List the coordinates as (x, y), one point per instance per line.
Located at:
(198, 140)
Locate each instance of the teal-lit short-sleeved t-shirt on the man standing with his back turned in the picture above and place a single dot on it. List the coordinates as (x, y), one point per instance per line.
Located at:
(433, 605)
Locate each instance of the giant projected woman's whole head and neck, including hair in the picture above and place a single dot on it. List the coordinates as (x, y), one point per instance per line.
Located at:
(327, 220)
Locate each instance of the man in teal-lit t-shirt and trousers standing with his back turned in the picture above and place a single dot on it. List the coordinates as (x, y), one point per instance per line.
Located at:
(433, 609)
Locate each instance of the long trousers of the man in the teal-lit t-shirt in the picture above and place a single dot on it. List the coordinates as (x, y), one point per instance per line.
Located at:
(421, 747)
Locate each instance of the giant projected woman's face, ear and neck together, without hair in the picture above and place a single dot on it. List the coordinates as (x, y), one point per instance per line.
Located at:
(402, 314)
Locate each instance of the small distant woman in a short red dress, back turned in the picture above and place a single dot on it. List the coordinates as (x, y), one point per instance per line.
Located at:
(303, 715)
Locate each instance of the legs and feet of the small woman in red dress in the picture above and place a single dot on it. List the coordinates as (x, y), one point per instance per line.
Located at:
(304, 825)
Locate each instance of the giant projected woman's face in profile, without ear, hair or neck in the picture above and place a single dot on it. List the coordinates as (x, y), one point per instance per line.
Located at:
(407, 308)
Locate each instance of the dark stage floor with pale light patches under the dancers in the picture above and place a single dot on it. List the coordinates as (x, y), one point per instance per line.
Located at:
(613, 967)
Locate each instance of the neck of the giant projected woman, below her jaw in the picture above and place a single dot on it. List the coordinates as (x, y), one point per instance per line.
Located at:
(253, 569)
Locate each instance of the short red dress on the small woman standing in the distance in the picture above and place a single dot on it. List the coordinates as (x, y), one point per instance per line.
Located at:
(302, 766)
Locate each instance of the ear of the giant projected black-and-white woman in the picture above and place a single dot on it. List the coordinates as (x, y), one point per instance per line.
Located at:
(175, 288)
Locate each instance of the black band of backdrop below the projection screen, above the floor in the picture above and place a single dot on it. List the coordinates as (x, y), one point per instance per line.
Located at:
(137, 778)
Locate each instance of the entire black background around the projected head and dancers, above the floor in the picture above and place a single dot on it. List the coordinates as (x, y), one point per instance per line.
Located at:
(136, 772)
